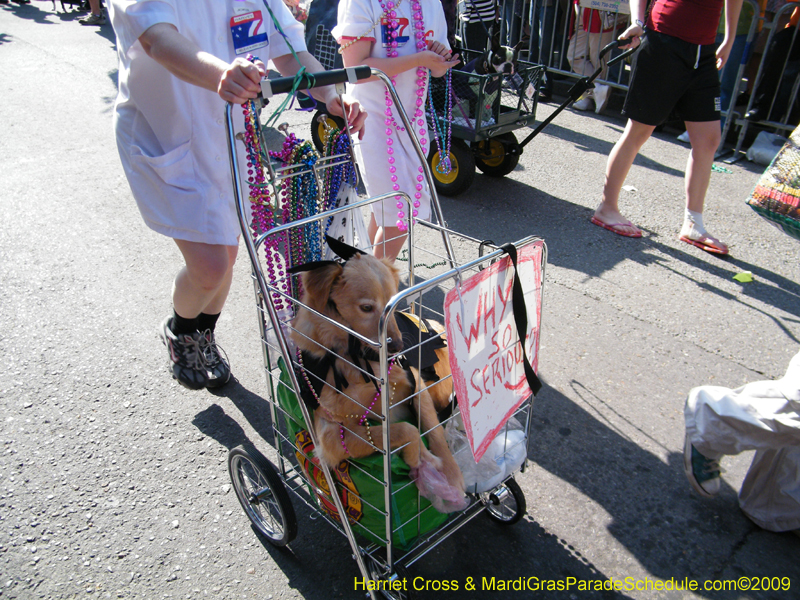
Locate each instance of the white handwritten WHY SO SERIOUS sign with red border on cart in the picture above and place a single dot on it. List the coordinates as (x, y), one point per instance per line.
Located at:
(485, 350)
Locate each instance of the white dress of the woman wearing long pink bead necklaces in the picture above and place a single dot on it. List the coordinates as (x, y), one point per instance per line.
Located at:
(356, 20)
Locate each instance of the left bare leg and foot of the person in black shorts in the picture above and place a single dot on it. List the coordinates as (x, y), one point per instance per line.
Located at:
(619, 163)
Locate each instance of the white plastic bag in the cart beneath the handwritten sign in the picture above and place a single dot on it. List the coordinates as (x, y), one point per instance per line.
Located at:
(504, 456)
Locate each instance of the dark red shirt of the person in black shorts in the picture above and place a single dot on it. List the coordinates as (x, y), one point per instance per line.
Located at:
(693, 21)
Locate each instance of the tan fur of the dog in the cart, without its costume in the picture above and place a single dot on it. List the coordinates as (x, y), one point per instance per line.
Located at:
(355, 295)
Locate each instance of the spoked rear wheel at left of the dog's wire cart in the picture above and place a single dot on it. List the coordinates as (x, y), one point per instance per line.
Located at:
(262, 495)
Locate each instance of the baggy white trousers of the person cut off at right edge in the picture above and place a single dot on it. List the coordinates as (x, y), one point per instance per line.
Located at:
(763, 416)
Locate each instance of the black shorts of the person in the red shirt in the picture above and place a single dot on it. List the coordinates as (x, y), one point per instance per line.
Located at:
(670, 75)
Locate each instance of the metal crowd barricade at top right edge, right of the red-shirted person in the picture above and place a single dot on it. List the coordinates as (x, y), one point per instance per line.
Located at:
(789, 75)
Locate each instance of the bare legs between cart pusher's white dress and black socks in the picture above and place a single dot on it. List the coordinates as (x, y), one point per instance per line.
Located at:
(202, 285)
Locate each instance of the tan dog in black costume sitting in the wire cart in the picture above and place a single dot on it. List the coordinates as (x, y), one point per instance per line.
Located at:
(353, 295)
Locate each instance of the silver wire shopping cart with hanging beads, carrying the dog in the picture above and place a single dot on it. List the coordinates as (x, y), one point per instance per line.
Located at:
(372, 501)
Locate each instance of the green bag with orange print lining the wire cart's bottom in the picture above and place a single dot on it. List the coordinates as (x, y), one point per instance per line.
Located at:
(362, 490)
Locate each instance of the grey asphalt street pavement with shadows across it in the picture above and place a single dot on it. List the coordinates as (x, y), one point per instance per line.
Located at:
(113, 479)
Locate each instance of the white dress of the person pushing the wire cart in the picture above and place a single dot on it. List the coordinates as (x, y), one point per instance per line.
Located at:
(171, 134)
